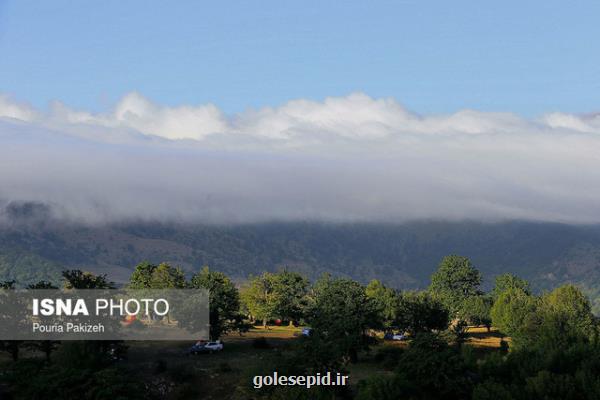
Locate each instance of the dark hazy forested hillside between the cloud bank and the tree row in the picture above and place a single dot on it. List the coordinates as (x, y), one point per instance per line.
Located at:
(402, 255)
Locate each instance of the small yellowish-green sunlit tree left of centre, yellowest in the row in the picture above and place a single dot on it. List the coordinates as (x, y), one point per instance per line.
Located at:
(260, 297)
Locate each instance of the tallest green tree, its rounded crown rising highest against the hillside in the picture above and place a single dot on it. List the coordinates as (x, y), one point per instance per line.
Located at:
(454, 281)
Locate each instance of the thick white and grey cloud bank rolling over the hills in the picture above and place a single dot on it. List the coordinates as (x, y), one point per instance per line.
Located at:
(346, 158)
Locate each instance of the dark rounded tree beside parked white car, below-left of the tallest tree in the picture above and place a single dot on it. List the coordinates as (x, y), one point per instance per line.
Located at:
(418, 312)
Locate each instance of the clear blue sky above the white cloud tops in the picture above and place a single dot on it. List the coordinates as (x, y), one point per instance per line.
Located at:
(434, 57)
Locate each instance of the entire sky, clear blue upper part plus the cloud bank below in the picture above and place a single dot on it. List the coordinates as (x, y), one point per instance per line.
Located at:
(244, 112)
